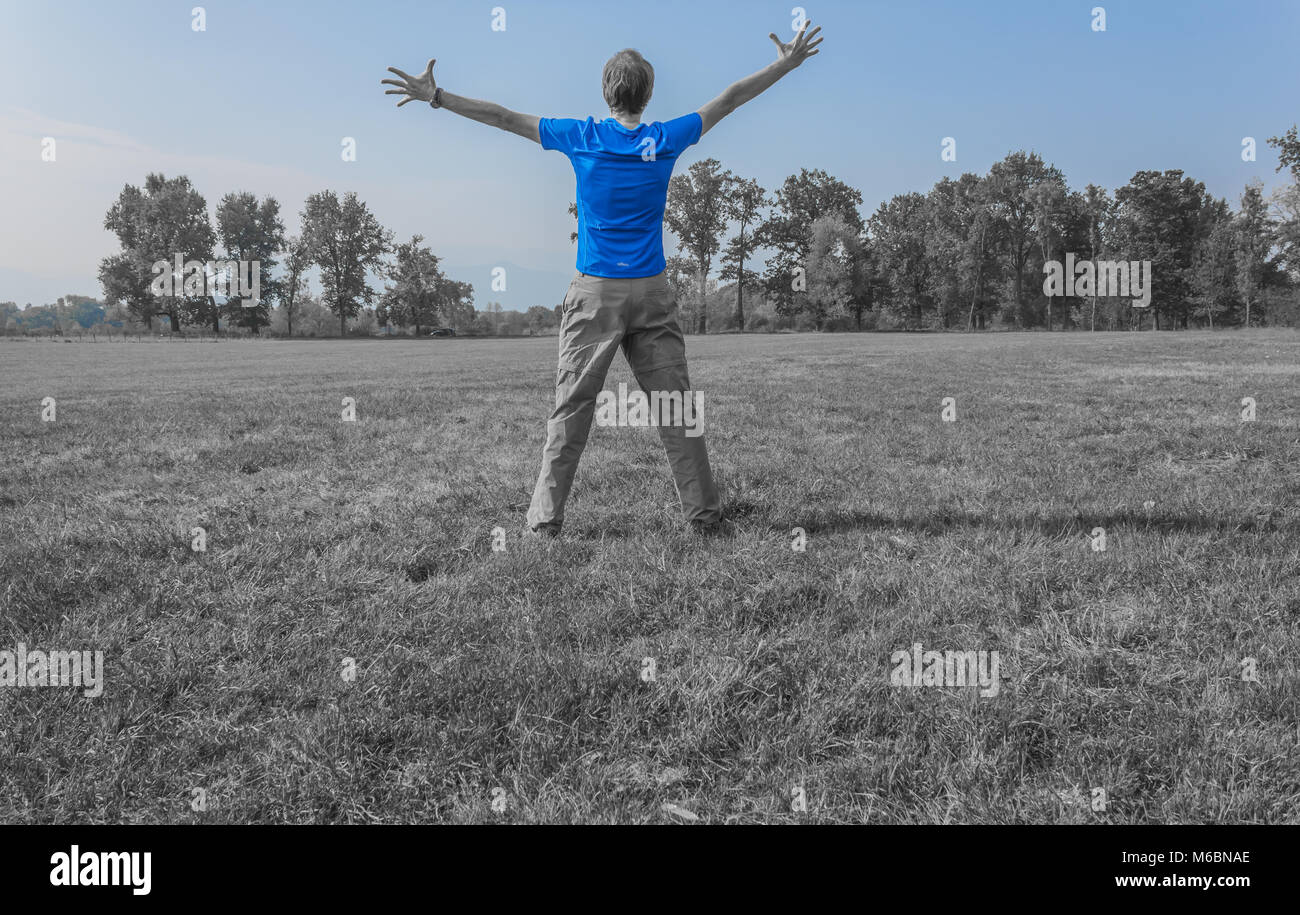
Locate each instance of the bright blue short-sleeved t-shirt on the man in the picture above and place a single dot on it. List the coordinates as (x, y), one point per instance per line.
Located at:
(622, 188)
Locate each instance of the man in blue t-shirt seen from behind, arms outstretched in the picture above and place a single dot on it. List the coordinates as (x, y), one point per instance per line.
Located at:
(621, 297)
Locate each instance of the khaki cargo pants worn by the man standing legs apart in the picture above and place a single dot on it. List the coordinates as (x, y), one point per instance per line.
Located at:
(600, 316)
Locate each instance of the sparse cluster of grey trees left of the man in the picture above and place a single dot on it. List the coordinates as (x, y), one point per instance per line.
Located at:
(339, 236)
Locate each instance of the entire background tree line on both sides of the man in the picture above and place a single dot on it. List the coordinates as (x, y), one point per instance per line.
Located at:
(968, 254)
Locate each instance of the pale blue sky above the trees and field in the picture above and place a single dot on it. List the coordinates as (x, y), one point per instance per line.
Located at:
(263, 98)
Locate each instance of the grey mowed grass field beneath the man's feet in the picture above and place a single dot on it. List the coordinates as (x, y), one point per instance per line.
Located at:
(518, 675)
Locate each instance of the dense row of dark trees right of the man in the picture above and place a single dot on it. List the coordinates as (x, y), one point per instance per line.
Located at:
(972, 251)
